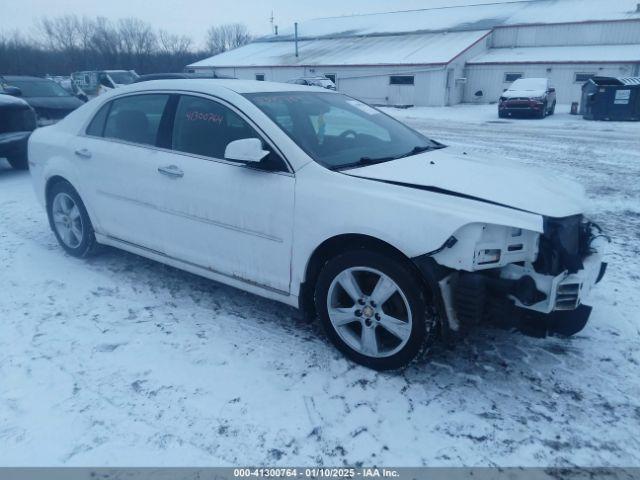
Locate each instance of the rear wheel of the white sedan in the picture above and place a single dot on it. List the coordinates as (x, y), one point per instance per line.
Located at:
(70, 221)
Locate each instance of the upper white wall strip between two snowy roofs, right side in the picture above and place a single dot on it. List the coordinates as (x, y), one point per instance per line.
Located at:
(592, 33)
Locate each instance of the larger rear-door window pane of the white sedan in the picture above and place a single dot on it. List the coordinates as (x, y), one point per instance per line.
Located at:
(136, 118)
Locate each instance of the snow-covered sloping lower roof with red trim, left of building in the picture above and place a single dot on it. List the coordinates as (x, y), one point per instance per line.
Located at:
(413, 49)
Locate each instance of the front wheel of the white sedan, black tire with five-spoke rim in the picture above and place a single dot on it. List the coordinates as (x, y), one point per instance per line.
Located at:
(373, 309)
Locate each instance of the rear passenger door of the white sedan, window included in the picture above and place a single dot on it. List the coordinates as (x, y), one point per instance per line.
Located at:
(119, 161)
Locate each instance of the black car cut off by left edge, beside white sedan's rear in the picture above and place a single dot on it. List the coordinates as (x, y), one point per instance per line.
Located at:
(17, 121)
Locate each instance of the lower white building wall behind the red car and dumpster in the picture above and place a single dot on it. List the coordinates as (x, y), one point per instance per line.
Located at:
(490, 78)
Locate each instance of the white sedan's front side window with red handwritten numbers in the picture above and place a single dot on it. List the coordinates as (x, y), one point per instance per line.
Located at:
(204, 127)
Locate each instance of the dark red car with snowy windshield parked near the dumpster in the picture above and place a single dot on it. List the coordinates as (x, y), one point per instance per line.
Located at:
(531, 96)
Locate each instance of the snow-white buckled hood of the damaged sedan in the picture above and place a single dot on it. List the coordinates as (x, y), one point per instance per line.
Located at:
(499, 182)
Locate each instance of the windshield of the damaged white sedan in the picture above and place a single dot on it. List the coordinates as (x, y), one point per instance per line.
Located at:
(338, 131)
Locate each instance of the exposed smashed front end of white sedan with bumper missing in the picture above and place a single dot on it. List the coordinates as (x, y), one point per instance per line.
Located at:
(535, 282)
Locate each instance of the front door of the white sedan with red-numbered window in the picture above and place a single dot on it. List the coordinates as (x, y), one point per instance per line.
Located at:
(224, 216)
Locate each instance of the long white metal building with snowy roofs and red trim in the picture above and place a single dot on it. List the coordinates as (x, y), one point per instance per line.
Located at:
(444, 56)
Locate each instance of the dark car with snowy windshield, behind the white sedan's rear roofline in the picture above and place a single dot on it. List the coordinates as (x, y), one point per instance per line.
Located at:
(50, 101)
